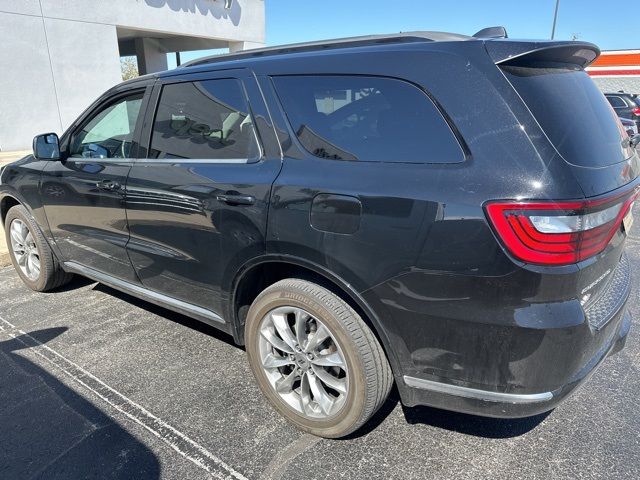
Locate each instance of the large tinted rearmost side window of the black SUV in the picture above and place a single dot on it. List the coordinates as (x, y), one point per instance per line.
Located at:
(371, 119)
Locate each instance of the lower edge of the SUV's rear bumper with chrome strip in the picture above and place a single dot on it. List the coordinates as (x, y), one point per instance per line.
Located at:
(417, 391)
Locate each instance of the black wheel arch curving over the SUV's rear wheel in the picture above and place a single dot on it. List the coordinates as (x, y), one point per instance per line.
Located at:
(259, 273)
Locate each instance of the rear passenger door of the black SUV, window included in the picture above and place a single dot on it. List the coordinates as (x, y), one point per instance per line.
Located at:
(197, 204)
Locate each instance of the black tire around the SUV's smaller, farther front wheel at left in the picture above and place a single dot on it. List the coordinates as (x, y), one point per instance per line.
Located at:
(51, 274)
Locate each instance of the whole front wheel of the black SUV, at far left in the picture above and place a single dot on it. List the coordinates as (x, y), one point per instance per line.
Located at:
(30, 253)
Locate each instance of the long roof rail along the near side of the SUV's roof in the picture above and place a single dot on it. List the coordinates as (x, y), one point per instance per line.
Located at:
(403, 37)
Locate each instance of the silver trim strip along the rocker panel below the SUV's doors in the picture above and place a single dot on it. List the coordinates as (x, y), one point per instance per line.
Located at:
(144, 293)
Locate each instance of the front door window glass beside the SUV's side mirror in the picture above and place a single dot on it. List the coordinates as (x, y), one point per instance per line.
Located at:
(109, 133)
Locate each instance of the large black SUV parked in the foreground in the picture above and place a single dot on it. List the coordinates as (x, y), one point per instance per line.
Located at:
(440, 212)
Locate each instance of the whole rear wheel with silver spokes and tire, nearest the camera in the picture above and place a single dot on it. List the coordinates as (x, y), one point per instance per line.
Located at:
(315, 359)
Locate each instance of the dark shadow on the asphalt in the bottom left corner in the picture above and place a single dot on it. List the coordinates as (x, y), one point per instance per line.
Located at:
(48, 431)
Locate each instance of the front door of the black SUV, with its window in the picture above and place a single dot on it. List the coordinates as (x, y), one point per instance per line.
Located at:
(84, 193)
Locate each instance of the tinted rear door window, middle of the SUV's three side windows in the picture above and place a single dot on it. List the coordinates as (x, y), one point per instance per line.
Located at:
(207, 119)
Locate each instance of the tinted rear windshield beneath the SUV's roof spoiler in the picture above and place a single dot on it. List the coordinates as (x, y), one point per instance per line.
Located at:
(573, 113)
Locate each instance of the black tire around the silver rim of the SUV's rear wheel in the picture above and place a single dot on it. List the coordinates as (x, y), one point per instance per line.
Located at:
(370, 377)
